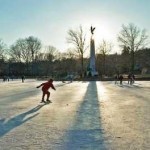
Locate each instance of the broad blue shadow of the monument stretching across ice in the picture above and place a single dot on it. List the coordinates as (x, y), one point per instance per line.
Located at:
(86, 132)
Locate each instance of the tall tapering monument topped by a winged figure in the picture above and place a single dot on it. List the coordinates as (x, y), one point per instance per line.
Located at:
(91, 68)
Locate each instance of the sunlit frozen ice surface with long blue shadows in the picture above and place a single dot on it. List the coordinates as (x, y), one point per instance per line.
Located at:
(82, 115)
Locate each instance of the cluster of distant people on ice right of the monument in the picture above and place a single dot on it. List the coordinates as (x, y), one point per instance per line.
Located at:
(130, 78)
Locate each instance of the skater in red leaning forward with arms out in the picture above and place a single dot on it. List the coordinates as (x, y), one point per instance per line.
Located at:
(45, 87)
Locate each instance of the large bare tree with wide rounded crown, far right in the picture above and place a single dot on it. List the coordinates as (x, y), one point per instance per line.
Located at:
(133, 38)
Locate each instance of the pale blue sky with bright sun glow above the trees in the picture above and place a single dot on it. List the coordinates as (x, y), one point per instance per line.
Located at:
(50, 20)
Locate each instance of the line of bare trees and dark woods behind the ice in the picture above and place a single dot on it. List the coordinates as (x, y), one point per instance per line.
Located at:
(29, 57)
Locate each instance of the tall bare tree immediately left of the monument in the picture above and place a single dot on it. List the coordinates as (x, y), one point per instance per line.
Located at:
(78, 39)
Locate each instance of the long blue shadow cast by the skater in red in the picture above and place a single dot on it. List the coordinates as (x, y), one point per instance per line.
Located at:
(6, 126)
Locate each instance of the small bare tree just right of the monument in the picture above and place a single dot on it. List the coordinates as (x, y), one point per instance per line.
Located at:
(104, 48)
